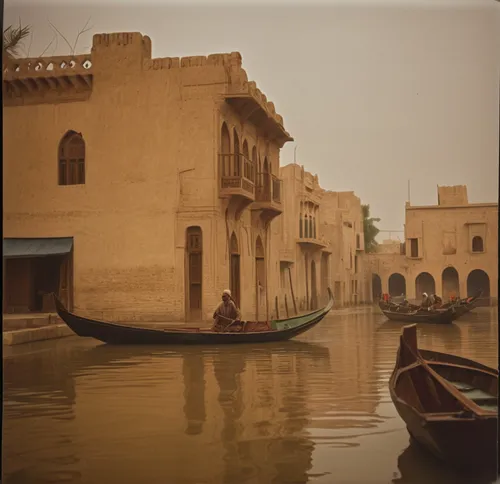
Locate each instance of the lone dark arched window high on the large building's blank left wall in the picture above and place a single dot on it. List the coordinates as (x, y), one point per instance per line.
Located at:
(72, 159)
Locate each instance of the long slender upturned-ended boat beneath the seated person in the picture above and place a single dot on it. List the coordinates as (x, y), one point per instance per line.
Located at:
(242, 332)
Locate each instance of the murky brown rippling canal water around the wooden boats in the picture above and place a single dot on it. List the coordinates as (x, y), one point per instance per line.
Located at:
(312, 410)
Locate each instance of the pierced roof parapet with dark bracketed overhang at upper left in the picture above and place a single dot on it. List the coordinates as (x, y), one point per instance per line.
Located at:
(47, 79)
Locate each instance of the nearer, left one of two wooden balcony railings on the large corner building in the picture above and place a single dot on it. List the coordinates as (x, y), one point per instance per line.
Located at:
(237, 176)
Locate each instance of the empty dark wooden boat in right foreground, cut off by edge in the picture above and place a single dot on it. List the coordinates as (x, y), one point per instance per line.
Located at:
(449, 403)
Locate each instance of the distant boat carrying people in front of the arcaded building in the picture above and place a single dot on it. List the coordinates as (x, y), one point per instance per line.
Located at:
(445, 314)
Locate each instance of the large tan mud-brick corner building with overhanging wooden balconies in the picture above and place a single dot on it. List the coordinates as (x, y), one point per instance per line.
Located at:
(139, 188)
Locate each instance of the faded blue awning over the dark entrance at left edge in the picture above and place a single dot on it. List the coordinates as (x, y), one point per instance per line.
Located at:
(15, 248)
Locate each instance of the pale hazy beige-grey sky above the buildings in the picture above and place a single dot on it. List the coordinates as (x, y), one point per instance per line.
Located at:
(374, 93)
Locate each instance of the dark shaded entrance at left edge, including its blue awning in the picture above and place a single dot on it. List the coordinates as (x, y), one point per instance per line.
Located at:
(33, 270)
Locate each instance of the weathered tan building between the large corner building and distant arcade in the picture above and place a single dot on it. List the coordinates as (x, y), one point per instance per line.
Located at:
(320, 243)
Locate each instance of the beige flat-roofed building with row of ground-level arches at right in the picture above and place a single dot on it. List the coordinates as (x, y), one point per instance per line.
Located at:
(450, 249)
